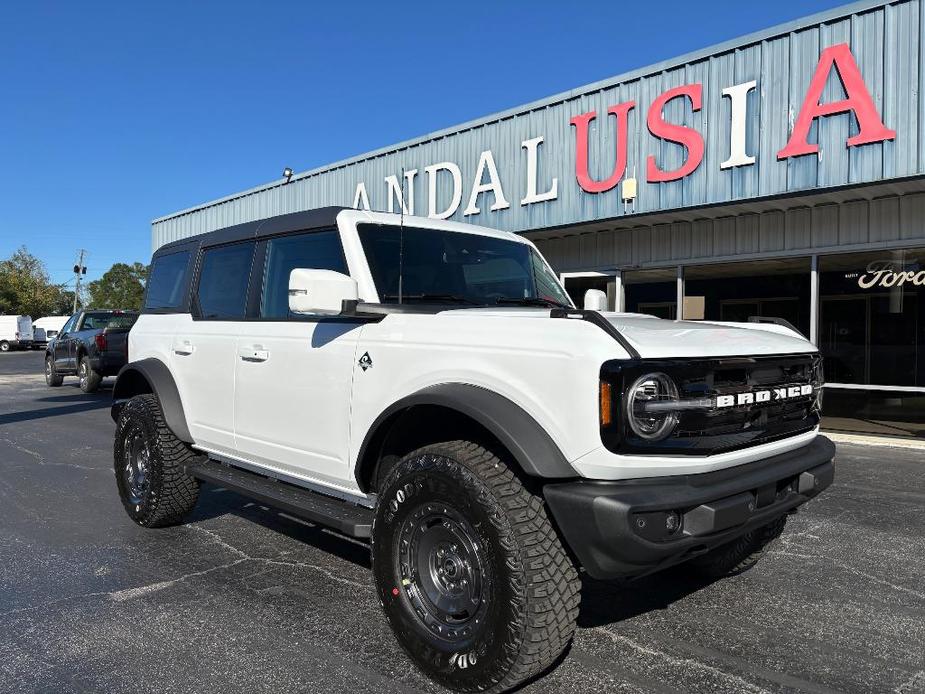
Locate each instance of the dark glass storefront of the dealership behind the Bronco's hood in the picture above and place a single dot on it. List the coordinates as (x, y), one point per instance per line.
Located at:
(871, 324)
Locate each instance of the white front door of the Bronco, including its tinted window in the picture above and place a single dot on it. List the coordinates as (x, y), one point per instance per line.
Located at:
(294, 373)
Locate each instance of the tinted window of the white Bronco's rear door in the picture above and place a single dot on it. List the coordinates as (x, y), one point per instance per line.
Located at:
(223, 281)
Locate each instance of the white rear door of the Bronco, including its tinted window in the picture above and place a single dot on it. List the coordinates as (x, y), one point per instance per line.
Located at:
(204, 347)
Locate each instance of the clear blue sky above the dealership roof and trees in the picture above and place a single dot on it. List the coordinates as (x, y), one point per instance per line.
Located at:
(113, 114)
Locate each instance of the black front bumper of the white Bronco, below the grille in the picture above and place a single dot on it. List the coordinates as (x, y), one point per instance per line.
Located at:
(621, 529)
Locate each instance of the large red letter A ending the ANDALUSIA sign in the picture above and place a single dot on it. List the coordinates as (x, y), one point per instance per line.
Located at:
(871, 128)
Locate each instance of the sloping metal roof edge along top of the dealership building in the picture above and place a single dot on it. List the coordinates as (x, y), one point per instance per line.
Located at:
(857, 7)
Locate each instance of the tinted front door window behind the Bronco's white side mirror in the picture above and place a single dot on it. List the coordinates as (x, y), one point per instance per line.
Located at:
(320, 250)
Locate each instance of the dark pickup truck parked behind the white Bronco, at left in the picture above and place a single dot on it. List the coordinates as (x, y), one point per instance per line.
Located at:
(91, 345)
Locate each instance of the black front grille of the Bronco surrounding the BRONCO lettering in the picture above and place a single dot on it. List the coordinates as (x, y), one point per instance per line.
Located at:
(711, 429)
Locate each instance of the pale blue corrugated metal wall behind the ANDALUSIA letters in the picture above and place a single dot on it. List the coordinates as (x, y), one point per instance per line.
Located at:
(885, 41)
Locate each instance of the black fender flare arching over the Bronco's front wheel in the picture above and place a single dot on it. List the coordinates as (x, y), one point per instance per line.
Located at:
(529, 444)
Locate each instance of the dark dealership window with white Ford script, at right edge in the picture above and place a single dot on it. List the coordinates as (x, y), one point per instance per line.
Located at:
(872, 338)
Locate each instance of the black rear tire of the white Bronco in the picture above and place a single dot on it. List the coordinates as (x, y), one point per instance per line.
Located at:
(171, 493)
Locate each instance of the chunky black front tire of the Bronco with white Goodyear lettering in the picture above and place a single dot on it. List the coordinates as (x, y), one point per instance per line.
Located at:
(531, 586)
